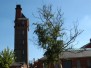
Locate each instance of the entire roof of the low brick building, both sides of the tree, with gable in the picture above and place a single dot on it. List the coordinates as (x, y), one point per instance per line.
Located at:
(84, 51)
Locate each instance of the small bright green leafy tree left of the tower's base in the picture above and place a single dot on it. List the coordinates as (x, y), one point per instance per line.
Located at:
(6, 58)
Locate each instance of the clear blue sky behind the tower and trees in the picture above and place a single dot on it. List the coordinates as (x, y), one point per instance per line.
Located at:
(73, 10)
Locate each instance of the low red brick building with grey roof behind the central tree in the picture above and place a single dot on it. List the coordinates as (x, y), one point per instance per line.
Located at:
(72, 59)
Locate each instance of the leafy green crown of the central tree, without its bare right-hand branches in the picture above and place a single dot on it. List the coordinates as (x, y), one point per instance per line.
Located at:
(50, 33)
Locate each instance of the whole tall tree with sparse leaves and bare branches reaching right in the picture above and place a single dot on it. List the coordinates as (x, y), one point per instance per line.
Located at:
(50, 33)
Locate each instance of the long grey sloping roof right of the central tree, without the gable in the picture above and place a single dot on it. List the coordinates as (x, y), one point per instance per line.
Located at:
(76, 54)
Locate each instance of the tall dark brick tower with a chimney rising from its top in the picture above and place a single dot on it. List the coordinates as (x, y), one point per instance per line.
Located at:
(21, 28)
